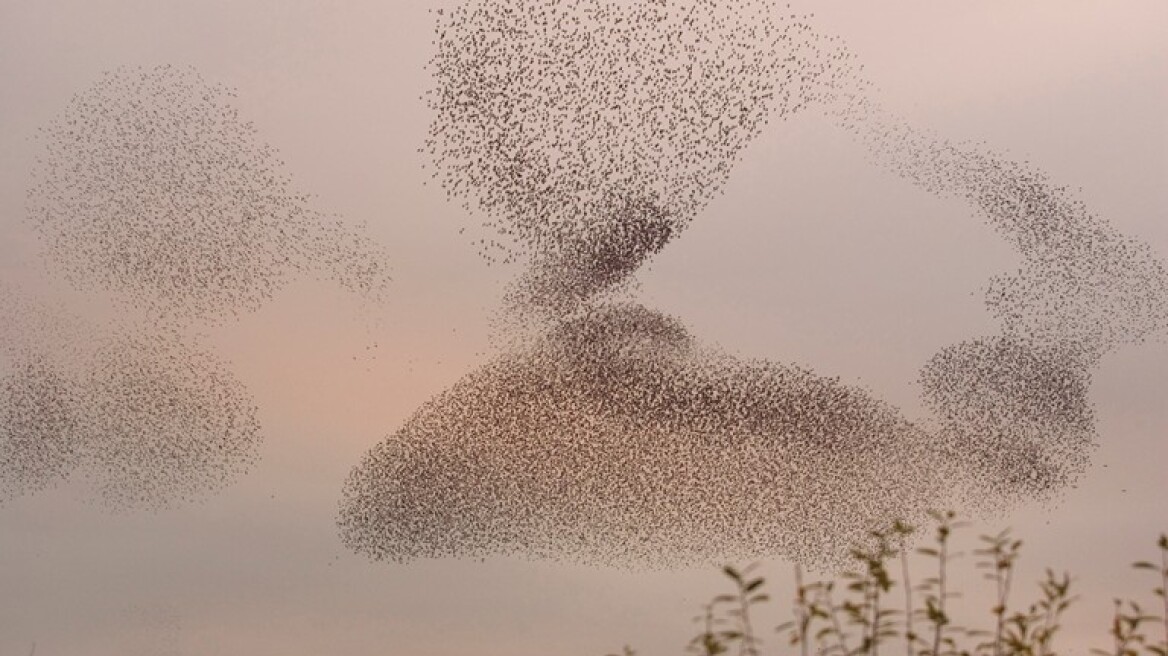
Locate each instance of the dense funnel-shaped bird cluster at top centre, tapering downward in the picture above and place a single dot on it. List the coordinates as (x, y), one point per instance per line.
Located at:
(589, 135)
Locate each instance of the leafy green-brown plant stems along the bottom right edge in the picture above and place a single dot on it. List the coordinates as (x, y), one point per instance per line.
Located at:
(853, 616)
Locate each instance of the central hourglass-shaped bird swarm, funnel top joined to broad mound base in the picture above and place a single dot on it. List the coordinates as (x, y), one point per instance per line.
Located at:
(588, 136)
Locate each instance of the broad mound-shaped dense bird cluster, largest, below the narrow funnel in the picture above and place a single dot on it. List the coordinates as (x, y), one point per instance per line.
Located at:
(617, 439)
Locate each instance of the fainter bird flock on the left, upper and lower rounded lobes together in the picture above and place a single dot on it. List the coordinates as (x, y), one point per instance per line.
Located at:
(155, 192)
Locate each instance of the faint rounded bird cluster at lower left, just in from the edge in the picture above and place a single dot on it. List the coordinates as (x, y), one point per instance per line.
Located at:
(169, 422)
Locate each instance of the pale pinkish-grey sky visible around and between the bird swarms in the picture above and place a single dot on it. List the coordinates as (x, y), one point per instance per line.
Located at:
(812, 256)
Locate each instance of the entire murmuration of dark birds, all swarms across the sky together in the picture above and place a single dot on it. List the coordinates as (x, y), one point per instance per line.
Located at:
(585, 138)
